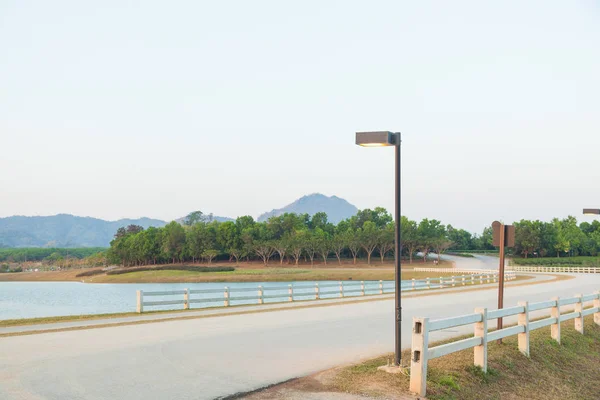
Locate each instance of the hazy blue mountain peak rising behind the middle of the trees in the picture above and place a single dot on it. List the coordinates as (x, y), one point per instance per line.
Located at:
(336, 209)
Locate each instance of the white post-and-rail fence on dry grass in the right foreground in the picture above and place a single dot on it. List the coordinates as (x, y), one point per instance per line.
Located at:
(421, 353)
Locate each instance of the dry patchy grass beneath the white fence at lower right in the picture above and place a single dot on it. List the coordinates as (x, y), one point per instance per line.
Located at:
(568, 371)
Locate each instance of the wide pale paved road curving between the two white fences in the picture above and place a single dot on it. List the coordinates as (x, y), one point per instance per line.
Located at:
(211, 357)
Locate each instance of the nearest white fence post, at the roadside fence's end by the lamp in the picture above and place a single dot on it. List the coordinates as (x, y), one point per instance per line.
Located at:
(418, 362)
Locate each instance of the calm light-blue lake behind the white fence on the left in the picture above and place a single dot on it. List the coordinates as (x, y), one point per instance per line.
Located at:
(49, 299)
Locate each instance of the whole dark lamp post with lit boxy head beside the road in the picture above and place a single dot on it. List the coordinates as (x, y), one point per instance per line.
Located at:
(382, 139)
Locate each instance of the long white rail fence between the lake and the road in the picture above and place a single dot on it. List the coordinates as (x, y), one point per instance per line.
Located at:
(272, 294)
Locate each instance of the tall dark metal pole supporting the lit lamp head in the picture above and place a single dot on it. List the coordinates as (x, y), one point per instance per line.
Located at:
(398, 251)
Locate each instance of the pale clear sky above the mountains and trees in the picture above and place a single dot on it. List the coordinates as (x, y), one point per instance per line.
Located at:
(118, 109)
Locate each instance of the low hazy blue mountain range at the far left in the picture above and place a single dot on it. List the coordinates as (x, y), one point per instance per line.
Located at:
(63, 230)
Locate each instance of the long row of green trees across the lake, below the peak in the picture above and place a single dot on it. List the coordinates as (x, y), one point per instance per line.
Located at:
(288, 238)
